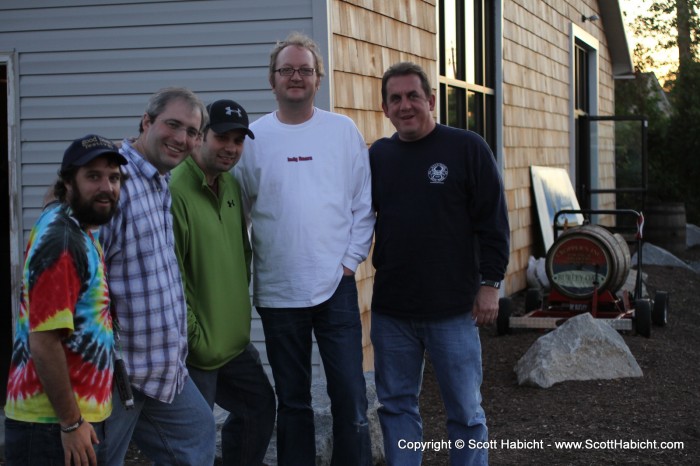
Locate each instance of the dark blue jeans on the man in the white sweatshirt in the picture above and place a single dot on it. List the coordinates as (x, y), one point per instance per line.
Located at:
(336, 324)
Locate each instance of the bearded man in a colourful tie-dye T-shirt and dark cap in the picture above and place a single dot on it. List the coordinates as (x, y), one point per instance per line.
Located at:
(60, 381)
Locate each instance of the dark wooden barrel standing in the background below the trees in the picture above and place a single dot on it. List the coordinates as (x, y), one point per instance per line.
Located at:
(665, 226)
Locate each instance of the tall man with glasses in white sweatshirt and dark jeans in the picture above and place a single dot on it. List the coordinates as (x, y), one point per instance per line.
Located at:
(306, 189)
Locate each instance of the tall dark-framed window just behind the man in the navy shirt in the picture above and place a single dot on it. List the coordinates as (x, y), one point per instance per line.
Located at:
(467, 66)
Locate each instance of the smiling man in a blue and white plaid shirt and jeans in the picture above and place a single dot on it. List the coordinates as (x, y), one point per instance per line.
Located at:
(171, 422)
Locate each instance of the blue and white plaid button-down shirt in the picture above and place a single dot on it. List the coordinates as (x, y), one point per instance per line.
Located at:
(144, 281)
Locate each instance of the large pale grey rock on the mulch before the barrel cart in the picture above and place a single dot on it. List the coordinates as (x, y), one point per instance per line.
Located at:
(583, 348)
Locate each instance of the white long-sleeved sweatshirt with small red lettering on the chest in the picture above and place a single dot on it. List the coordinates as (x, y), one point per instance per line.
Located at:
(307, 193)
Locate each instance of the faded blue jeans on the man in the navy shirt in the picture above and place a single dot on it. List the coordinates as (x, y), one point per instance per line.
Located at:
(455, 350)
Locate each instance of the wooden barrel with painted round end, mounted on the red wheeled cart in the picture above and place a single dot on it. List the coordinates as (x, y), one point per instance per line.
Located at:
(586, 257)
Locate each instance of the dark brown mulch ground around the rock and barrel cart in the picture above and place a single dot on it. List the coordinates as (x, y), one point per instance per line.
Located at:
(606, 416)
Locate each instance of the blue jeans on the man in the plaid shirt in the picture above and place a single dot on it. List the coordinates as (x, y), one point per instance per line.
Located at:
(177, 433)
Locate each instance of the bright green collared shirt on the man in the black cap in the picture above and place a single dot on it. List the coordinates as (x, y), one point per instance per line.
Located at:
(213, 250)
